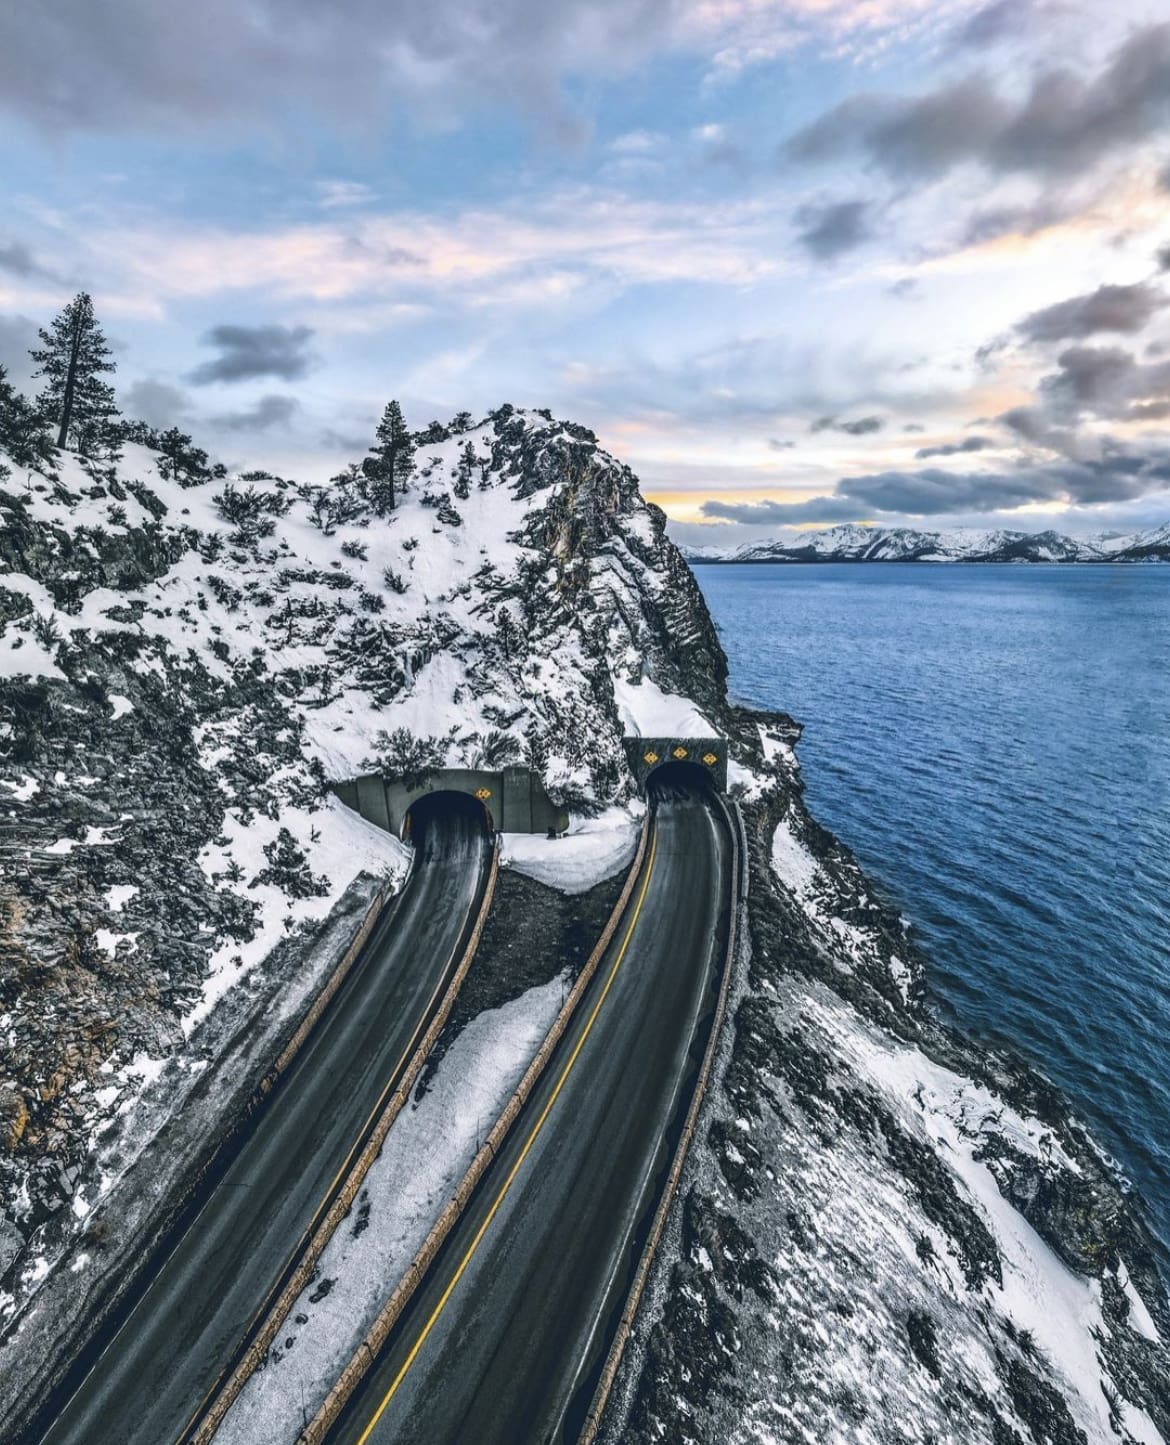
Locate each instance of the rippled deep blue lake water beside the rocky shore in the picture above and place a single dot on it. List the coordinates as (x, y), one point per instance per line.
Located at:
(994, 745)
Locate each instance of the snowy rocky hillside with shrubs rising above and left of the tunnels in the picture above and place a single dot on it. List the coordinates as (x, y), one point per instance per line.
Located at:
(186, 667)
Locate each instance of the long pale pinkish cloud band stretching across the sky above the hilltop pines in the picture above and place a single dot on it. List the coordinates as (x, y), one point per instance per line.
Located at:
(537, 249)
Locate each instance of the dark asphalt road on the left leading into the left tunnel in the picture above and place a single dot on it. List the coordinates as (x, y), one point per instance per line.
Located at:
(184, 1332)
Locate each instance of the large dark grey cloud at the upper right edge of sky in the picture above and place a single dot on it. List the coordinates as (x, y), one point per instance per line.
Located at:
(1062, 124)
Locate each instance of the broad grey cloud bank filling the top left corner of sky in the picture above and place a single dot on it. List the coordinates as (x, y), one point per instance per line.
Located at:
(154, 69)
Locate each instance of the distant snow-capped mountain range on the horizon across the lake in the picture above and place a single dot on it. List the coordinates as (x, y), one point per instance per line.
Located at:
(856, 544)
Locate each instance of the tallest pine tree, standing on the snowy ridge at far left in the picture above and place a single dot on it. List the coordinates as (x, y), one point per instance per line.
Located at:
(76, 400)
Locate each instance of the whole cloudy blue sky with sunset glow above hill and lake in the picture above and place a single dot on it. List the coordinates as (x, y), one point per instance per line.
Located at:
(899, 262)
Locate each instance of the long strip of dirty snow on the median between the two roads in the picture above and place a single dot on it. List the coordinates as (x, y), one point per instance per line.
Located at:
(425, 1155)
